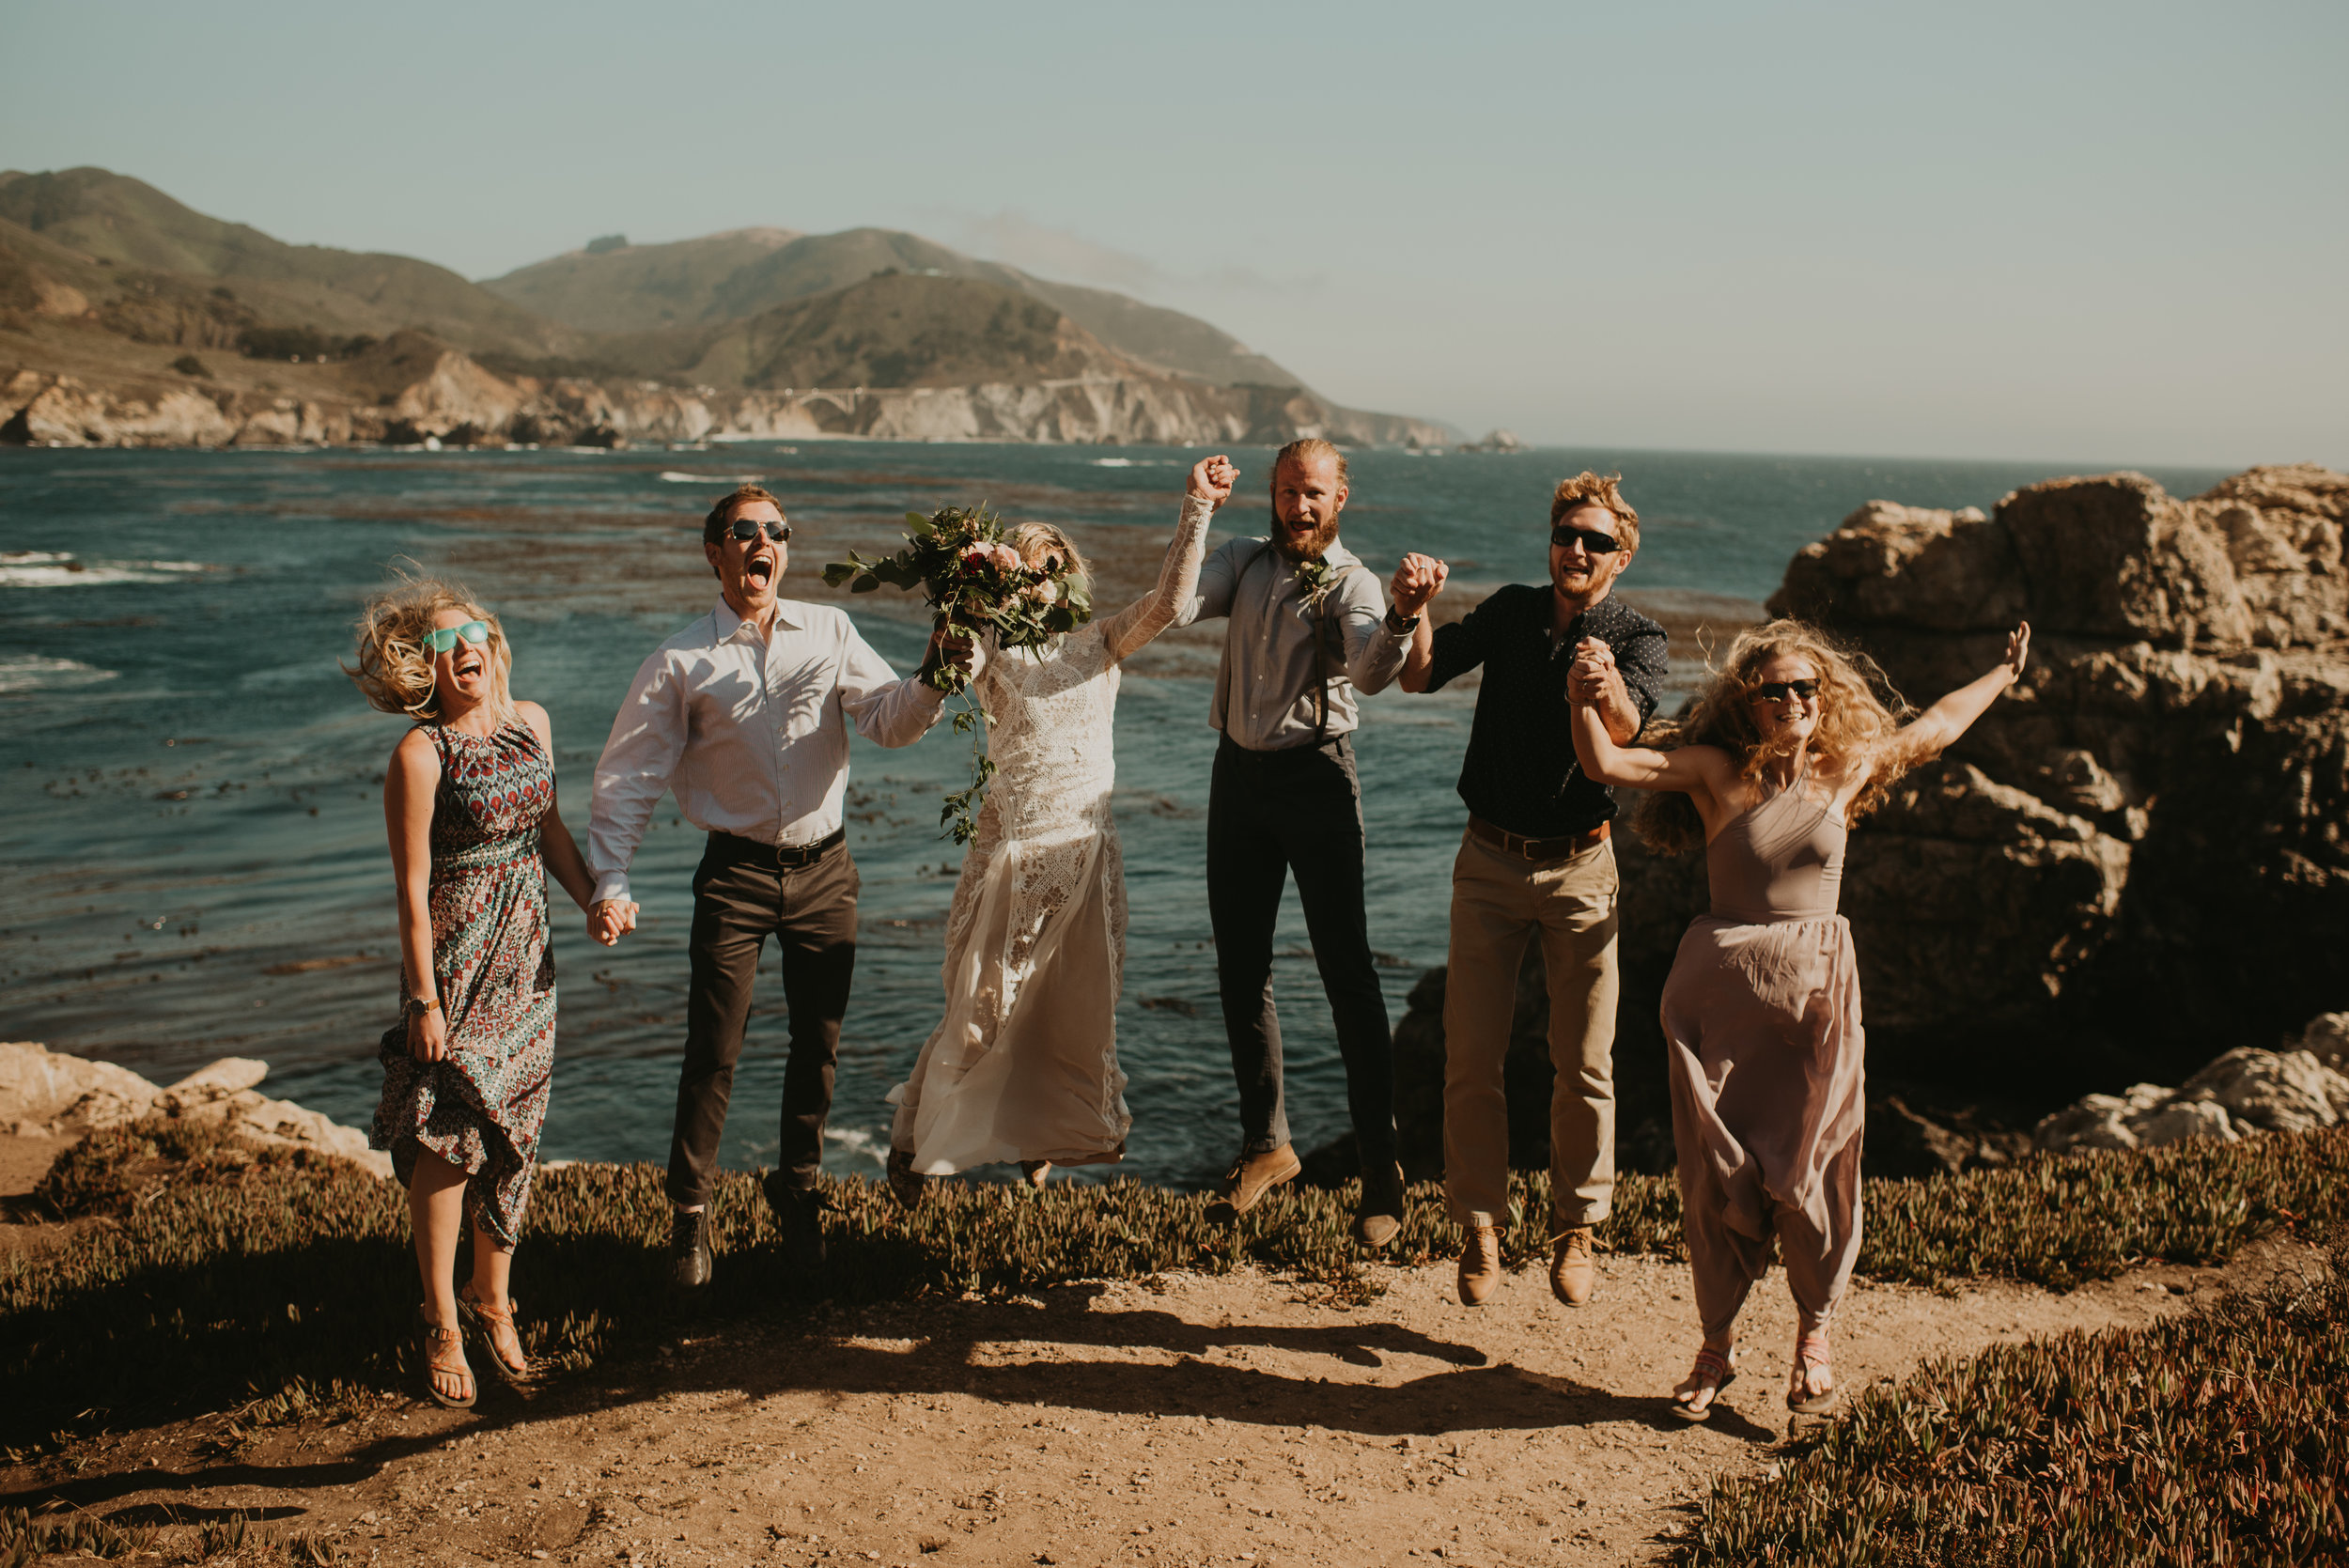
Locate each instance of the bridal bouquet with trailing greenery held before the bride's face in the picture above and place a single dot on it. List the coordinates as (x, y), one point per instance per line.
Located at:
(976, 583)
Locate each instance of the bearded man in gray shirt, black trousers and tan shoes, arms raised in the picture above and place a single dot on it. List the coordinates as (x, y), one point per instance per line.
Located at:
(1307, 633)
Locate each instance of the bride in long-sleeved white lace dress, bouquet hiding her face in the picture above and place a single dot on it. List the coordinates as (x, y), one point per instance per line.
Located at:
(1025, 1065)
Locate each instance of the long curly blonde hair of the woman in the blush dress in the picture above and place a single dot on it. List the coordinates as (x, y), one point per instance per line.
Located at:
(1859, 715)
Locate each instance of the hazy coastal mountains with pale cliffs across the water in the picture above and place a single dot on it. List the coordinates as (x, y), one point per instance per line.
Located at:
(135, 320)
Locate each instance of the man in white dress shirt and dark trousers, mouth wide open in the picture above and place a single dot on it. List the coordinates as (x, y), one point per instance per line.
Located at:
(746, 717)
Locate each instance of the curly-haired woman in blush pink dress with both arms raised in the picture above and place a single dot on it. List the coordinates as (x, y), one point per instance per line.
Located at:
(1763, 1008)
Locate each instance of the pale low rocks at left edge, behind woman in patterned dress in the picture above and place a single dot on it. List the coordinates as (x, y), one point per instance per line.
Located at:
(51, 1095)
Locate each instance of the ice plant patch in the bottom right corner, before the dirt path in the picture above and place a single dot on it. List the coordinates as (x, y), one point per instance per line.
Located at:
(2216, 1438)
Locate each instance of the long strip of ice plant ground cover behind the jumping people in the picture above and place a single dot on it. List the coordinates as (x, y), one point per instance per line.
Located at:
(215, 1276)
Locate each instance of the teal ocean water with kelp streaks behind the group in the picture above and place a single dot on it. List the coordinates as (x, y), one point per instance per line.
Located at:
(194, 837)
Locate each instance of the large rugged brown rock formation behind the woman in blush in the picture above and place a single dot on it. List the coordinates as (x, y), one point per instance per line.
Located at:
(2136, 860)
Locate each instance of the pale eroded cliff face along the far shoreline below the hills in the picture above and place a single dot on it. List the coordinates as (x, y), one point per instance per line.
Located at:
(410, 391)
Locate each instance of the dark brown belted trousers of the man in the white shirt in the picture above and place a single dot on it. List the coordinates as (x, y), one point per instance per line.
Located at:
(741, 898)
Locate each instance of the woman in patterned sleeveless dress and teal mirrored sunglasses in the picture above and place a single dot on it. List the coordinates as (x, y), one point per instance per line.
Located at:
(473, 825)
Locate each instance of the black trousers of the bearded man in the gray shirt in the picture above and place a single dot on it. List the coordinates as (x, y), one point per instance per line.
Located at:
(1298, 811)
